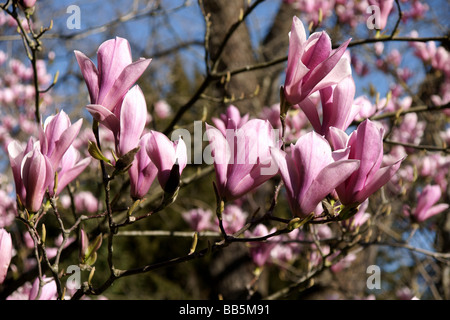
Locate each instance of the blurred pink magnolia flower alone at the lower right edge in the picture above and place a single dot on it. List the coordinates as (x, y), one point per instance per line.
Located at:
(426, 204)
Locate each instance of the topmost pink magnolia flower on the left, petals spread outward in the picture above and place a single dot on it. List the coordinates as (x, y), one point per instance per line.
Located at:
(116, 72)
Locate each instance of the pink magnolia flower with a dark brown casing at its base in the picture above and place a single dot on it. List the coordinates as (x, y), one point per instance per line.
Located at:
(169, 157)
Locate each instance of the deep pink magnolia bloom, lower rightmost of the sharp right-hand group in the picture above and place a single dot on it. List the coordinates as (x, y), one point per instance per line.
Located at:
(366, 145)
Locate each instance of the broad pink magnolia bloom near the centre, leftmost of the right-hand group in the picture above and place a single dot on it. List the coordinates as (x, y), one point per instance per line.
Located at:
(242, 158)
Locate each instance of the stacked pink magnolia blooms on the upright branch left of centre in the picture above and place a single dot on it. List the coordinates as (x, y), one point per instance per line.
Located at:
(121, 108)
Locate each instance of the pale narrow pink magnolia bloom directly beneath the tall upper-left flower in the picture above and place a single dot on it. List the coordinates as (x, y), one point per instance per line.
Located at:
(127, 122)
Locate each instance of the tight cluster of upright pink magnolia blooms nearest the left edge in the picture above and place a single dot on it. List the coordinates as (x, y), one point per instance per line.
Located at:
(46, 165)
